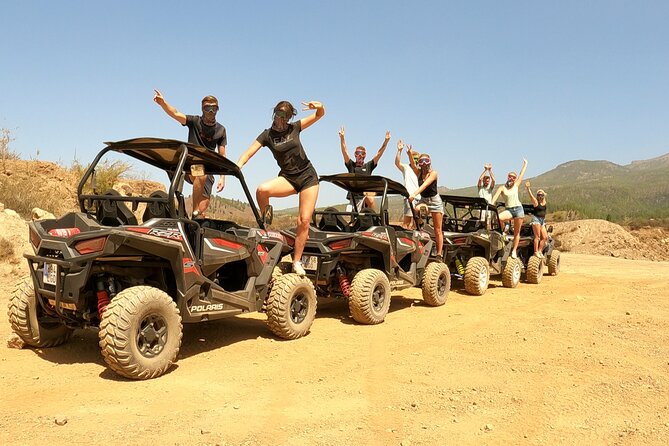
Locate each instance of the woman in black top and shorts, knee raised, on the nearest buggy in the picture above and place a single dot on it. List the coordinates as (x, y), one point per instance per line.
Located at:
(296, 176)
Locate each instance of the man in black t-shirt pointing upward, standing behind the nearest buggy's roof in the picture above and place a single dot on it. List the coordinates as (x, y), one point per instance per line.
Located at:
(204, 131)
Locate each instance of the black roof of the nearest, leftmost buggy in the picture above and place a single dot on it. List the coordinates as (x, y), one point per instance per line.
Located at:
(165, 154)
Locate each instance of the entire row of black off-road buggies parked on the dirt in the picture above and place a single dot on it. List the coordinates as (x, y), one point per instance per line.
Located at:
(137, 283)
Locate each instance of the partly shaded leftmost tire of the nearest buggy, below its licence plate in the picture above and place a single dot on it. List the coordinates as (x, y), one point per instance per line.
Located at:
(23, 312)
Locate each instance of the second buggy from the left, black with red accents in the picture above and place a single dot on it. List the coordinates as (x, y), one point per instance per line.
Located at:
(360, 256)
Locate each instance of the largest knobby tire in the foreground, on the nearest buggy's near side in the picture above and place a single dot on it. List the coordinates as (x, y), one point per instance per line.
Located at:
(140, 332)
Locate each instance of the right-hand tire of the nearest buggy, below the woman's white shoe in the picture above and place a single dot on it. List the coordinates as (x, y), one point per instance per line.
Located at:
(291, 306)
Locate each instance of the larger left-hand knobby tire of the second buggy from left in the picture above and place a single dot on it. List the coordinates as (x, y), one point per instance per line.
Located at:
(370, 296)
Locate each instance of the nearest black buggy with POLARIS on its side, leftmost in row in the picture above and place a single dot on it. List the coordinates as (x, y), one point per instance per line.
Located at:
(137, 283)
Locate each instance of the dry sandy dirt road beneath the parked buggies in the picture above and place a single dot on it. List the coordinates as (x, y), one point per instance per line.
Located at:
(582, 358)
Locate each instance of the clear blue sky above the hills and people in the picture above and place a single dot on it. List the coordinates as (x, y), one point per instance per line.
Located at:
(468, 82)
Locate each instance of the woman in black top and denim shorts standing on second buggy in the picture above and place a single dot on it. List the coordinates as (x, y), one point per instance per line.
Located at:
(429, 194)
